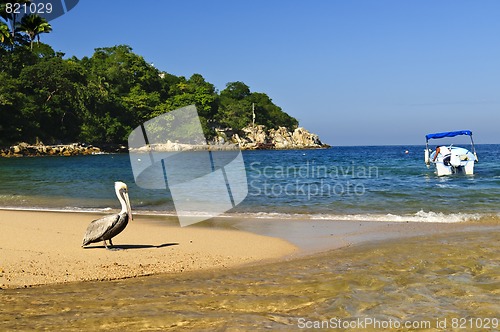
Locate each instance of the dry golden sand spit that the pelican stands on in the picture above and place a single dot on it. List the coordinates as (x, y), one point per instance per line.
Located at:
(45, 247)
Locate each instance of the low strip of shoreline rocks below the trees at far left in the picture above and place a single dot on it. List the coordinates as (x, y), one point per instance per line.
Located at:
(25, 149)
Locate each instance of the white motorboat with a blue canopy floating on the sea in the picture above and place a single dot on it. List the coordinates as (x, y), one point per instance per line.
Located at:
(450, 159)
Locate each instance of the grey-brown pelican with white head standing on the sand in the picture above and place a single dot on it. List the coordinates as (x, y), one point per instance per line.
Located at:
(108, 227)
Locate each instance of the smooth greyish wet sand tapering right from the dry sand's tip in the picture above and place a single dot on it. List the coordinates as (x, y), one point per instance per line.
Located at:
(318, 236)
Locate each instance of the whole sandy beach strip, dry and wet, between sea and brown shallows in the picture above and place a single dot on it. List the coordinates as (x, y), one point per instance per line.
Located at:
(43, 247)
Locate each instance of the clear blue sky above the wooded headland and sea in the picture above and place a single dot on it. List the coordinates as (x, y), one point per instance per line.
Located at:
(355, 72)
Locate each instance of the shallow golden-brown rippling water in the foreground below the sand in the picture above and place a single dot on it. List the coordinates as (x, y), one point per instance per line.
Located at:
(426, 280)
